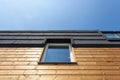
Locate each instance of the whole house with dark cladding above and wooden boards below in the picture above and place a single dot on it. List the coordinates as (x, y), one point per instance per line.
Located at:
(60, 55)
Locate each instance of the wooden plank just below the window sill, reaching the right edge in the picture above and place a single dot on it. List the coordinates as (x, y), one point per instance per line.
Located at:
(67, 67)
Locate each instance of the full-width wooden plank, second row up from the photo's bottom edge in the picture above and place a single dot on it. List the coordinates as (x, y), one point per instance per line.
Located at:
(60, 72)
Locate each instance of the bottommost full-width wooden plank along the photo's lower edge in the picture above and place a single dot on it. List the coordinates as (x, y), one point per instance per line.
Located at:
(60, 77)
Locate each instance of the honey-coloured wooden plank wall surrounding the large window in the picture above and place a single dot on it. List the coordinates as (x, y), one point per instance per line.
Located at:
(93, 64)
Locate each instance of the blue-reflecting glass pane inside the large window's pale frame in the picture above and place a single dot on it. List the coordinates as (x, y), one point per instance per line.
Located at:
(57, 54)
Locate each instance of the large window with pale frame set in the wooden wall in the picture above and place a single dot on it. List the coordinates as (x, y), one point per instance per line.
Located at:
(57, 53)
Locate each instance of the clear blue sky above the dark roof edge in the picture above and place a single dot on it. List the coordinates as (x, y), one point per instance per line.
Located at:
(60, 15)
